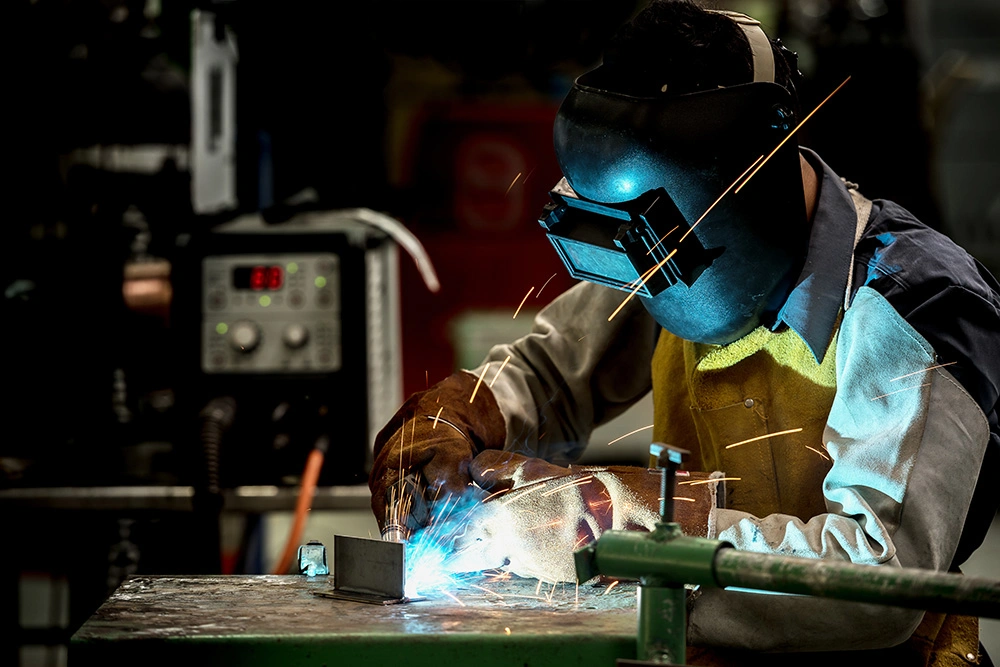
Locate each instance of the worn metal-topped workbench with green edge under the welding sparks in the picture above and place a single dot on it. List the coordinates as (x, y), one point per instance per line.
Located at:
(484, 620)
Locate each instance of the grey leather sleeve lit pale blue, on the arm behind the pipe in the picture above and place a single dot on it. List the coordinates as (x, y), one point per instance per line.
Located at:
(905, 464)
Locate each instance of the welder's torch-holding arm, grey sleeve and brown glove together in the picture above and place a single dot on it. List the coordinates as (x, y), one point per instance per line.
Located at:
(575, 370)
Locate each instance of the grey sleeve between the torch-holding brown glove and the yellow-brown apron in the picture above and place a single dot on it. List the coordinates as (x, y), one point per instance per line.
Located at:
(574, 371)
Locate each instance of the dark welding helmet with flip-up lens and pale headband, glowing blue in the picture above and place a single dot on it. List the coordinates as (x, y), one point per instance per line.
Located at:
(641, 171)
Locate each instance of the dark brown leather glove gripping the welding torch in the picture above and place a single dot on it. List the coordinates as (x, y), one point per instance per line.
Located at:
(435, 433)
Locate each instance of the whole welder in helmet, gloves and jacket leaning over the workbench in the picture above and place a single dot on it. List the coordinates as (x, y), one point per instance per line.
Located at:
(828, 354)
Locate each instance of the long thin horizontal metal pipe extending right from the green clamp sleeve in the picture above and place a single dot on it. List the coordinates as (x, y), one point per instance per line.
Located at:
(893, 586)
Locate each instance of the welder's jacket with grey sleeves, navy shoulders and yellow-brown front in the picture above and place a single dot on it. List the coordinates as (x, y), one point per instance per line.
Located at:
(886, 355)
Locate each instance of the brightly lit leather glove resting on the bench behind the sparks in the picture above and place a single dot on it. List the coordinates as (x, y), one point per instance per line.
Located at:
(540, 513)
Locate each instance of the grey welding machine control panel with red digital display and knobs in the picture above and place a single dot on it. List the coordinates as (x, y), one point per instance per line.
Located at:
(274, 313)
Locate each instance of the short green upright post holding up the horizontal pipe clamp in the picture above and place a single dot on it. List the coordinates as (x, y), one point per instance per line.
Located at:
(662, 632)
